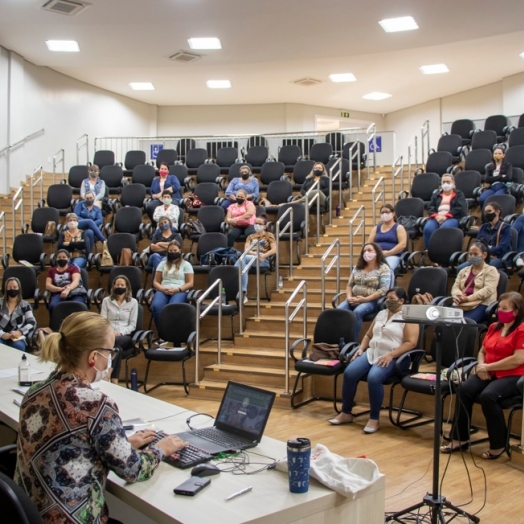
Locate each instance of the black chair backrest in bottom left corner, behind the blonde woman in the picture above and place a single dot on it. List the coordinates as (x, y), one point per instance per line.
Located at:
(17, 507)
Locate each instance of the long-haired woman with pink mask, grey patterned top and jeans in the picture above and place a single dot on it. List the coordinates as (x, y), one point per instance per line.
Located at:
(369, 281)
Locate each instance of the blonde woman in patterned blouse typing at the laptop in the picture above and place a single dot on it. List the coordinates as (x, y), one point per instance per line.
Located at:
(87, 435)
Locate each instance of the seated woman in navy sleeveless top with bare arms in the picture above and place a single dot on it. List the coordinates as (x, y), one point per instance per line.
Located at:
(390, 236)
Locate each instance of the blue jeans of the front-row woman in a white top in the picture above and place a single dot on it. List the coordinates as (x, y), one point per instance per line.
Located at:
(361, 369)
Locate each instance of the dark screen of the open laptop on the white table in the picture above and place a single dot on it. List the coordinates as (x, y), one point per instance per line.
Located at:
(245, 410)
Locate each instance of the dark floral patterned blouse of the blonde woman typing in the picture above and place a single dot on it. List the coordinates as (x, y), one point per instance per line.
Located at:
(70, 436)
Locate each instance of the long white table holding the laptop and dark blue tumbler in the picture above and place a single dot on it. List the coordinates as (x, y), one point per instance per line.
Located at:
(269, 502)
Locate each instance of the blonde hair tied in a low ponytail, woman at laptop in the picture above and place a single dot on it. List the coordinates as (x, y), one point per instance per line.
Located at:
(80, 334)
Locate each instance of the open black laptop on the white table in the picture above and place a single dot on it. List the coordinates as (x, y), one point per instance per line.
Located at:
(240, 421)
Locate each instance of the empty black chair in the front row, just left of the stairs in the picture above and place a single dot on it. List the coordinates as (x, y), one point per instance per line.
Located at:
(180, 335)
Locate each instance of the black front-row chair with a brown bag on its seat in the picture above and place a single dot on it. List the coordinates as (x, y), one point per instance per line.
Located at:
(332, 325)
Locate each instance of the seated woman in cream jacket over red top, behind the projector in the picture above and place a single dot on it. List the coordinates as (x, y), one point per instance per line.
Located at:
(475, 287)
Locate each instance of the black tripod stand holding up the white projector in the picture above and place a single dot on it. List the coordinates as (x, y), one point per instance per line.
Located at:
(435, 501)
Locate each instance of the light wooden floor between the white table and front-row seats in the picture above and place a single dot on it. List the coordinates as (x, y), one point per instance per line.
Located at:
(405, 457)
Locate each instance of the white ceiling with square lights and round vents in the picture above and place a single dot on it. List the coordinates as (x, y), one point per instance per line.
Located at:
(268, 44)
